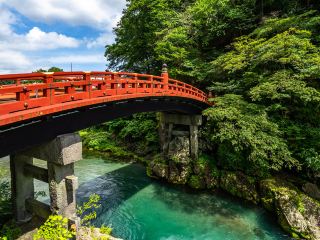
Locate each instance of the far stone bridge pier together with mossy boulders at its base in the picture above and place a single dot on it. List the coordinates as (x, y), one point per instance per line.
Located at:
(180, 147)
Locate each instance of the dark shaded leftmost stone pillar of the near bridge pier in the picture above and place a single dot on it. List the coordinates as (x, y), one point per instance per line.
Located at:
(21, 187)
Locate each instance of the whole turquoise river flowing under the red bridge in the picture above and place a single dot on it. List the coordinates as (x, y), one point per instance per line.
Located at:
(137, 207)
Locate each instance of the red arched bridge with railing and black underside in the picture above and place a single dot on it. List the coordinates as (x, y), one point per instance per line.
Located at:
(37, 107)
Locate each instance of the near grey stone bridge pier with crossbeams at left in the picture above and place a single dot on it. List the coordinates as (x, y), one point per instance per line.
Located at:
(60, 156)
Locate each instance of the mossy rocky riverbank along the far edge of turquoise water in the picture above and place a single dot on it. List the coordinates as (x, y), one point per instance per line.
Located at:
(294, 202)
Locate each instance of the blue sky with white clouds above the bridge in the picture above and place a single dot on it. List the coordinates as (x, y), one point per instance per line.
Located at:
(43, 33)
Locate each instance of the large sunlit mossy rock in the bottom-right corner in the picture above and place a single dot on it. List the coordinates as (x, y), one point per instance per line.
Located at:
(297, 213)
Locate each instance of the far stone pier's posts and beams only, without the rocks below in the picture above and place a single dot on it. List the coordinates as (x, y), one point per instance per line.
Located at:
(168, 122)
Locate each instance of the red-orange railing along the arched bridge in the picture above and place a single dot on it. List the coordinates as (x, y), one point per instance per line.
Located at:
(23, 92)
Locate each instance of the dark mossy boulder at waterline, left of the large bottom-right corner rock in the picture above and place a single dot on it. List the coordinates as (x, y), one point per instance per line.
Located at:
(240, 185)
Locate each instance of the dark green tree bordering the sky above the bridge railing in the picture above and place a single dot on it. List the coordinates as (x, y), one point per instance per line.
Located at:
(136, 35)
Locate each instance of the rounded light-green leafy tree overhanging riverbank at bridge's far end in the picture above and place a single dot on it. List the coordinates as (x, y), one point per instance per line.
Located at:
(246, 139)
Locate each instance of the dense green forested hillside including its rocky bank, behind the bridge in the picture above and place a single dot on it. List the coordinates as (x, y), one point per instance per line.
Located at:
(261, 60)
